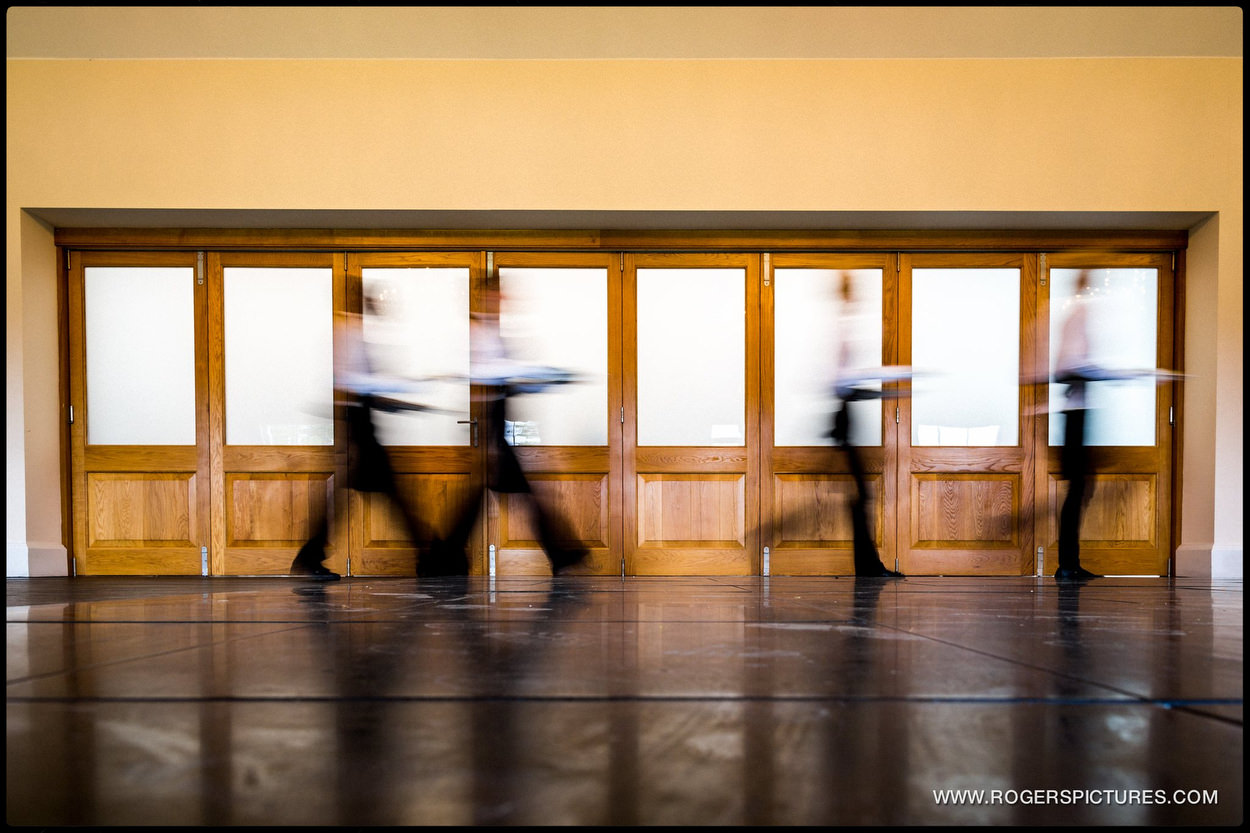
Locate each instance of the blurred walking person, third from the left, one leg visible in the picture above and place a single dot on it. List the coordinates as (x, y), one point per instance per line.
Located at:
(852, 387)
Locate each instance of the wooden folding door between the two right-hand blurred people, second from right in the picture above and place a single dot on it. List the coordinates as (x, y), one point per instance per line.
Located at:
(967, 450)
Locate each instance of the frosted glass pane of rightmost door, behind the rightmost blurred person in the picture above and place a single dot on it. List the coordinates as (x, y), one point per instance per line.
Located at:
(1123, 335)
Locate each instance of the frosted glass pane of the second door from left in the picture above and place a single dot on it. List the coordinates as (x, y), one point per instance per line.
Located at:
(279, 357)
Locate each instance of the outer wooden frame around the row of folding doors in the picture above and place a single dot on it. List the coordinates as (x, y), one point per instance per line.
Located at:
(73, 245)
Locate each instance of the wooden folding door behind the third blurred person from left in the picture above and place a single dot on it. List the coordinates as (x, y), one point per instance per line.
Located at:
(807, 485)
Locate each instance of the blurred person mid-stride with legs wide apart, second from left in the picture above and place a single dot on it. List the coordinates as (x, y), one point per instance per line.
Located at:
(499, 378)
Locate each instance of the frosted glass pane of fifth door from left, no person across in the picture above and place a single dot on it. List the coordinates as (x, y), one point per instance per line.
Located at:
(692, 355)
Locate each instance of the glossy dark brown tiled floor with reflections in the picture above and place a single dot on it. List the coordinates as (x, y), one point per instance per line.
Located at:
(636, 701)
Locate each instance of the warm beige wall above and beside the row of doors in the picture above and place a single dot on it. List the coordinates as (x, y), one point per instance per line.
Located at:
(778, 136)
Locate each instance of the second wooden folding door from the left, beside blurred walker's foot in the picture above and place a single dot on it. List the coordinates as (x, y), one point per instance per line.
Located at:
(277, 456)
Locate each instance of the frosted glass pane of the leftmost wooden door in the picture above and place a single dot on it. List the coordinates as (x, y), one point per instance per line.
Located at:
(141, 356)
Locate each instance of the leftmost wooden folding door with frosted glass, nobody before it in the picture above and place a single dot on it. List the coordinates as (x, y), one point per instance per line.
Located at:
(138, 343)
